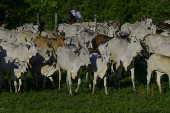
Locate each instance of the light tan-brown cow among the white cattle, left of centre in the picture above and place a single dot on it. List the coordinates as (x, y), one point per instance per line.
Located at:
(54, 42)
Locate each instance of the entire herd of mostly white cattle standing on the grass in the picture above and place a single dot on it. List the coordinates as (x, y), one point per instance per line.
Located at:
(99, 47)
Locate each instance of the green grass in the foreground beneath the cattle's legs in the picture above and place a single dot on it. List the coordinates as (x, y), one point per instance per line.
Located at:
(37, 100)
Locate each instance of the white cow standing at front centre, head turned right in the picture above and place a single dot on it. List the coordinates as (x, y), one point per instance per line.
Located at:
(71, 58)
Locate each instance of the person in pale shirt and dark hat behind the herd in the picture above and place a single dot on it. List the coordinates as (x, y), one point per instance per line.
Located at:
(76, 14)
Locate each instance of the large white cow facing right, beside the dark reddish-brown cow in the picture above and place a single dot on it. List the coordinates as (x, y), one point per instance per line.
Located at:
(123, 54)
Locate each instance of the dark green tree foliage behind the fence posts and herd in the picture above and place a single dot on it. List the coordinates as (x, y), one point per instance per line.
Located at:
(122, 10)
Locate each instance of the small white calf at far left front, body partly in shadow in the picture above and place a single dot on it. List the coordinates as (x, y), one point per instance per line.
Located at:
(12, 67)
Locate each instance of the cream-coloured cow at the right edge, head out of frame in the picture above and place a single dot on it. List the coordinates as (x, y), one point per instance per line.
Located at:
(160, 64)
